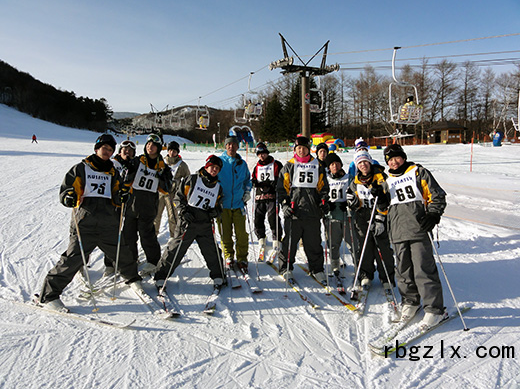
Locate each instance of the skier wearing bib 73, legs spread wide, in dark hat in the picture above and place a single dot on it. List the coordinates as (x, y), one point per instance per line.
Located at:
(199, 200)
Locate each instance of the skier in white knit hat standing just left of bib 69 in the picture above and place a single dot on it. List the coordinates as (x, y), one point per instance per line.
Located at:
(362, 201)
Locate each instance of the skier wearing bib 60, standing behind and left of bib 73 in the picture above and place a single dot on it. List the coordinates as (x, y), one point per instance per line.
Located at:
(148, 177)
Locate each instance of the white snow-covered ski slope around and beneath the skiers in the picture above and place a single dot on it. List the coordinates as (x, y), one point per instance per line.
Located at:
(269, 340)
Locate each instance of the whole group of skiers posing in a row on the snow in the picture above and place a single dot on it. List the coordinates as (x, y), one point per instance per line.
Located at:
(116, 200)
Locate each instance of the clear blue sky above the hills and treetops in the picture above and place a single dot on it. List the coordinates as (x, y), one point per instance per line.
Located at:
(134, 53)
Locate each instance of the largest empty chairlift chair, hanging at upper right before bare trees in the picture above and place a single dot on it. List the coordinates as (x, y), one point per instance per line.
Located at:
(405, 114)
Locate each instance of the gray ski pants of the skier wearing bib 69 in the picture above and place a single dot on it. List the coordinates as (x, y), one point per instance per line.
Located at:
(417, 275)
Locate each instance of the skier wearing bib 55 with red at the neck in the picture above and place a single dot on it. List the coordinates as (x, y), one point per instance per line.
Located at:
(303, 190)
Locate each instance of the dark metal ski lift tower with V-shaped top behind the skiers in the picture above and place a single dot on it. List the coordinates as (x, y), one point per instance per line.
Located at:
(305, 71)
